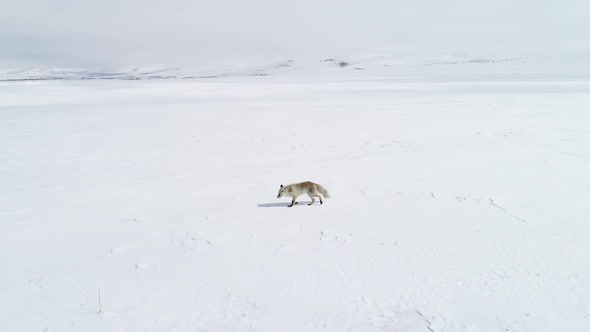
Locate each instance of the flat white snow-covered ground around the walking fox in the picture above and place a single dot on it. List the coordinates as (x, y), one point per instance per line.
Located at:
(457, 205)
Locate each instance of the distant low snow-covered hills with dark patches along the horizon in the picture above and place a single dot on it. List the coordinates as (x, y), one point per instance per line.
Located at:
(373, 65)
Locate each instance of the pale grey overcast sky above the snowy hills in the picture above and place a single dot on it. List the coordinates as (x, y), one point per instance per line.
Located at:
(110, 33)
